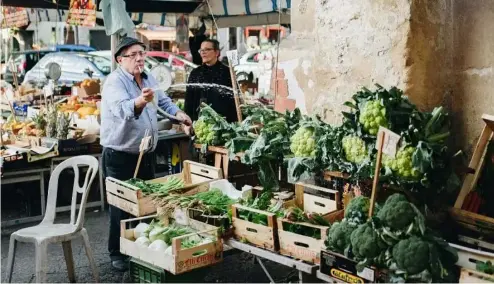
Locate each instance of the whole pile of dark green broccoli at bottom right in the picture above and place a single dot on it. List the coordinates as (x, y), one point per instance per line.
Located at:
(395, 238)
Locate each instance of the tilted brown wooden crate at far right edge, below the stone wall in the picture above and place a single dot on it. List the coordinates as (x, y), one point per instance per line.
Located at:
(470, 220)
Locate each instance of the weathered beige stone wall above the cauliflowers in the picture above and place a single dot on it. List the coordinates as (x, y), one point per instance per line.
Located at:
(439, 52)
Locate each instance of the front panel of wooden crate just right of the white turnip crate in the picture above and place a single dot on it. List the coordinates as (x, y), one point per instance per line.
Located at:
(260, 235)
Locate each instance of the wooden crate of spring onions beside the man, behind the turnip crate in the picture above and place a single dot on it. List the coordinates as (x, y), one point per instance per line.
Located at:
(132, 200)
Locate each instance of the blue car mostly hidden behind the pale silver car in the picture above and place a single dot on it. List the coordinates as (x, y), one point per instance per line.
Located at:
(25, 60)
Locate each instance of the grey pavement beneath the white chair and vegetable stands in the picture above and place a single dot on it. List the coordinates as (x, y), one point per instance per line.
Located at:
(236, 268)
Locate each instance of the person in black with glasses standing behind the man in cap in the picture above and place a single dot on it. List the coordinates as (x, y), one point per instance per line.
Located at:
(212, 71)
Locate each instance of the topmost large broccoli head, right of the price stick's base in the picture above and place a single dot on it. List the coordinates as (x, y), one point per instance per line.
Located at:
(397, 213)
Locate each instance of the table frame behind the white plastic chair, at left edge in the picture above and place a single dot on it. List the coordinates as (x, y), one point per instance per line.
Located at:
(26, 175)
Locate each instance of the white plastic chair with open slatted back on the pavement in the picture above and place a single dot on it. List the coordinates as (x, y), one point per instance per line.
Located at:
(48, 232)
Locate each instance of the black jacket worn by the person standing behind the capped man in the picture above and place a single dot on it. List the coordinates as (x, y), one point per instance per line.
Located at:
(221, 100)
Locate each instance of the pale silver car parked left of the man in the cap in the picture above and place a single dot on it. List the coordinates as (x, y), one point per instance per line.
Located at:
(75, 67)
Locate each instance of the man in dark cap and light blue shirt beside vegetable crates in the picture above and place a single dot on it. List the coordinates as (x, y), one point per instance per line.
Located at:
(125, 117)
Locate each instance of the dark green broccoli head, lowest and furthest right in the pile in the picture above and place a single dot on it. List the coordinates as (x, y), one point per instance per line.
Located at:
(412, 255)
